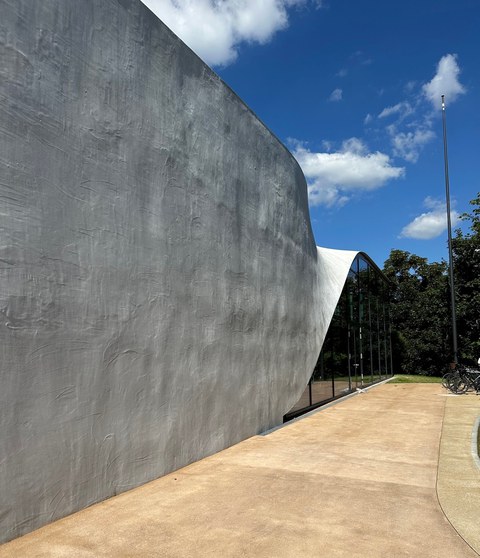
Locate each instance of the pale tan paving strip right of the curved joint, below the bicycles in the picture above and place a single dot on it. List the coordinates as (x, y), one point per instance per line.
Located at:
(459, 470)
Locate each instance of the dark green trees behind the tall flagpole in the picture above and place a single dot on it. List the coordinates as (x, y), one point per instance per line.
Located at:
(420, 311)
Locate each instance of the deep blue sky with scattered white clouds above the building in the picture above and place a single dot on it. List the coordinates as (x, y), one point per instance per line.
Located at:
(353, 89)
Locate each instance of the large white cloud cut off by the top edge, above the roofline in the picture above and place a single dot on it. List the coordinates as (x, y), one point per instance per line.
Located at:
(214, 29)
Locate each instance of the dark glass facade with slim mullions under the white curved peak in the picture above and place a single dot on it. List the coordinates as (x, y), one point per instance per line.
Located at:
(357, 348)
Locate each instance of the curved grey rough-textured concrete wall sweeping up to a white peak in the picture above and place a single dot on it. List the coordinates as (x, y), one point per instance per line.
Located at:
(161, 294)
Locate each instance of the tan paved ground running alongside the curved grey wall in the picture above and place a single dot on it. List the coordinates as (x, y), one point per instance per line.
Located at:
(357, 479)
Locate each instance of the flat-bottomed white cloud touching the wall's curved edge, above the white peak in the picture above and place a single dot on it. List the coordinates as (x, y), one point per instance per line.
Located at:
(333, 177)
